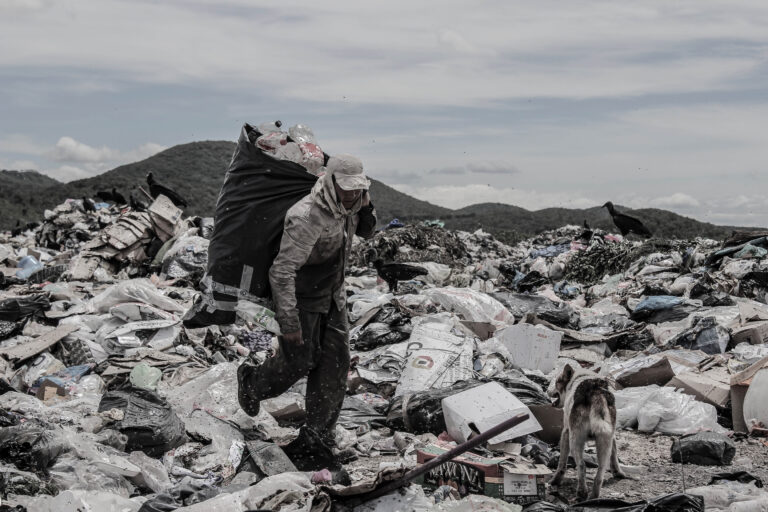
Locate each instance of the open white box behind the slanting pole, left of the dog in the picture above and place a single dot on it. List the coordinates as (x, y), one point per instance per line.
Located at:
(483, 407)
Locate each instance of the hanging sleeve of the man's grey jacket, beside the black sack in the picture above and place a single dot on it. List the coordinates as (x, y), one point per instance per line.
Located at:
(299, 237)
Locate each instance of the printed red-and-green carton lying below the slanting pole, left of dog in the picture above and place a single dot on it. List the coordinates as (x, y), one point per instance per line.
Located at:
(504, 478)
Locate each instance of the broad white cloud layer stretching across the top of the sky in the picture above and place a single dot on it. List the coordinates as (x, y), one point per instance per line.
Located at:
(504, 50)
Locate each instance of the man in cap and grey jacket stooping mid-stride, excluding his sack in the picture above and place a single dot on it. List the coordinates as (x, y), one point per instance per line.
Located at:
(307, 282)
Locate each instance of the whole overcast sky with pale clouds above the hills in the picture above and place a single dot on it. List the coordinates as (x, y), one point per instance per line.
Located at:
(538, 103)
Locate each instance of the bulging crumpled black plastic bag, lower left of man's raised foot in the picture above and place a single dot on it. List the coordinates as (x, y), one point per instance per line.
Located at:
(149, 422)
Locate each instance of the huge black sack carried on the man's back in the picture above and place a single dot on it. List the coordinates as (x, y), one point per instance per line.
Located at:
(257, 192)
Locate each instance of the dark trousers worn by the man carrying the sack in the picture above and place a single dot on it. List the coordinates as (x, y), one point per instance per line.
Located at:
(323, 358)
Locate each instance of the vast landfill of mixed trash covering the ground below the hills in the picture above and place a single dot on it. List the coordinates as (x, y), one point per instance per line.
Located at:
(110, 403)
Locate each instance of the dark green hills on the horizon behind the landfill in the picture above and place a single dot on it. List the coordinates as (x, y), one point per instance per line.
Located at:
(196, 171)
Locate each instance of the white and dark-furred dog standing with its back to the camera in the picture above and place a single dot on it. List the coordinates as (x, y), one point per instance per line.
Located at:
(589, 412)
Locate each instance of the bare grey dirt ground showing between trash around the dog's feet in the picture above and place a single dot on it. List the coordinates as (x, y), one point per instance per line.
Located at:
(646, 457)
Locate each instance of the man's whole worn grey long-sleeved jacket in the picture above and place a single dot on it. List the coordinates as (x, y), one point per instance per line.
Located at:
(308, 272)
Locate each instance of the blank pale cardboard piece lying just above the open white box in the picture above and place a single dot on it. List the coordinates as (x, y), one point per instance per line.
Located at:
(534, 347)
